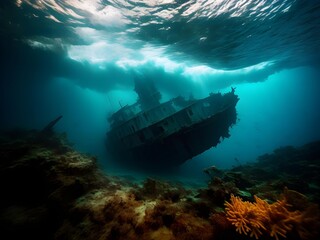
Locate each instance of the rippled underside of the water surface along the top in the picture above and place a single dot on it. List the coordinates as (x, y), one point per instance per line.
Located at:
(224, 34)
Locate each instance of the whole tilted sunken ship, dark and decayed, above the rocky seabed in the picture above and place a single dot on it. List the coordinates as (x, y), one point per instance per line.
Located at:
(153, 135)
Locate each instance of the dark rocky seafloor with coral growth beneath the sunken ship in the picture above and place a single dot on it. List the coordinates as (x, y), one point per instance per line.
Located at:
(51, 191)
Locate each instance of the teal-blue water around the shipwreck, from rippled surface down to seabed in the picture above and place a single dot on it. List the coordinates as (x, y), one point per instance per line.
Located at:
(79, 59)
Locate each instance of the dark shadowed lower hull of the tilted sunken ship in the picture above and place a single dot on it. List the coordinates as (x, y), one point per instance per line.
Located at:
(173, 150)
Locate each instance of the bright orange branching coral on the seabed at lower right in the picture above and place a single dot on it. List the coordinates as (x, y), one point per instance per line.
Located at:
(259, 217)
